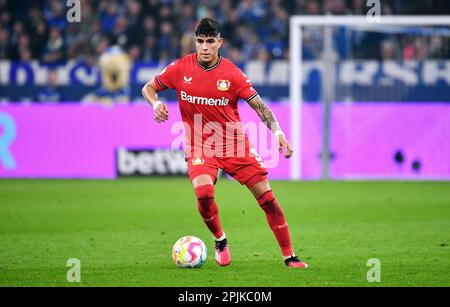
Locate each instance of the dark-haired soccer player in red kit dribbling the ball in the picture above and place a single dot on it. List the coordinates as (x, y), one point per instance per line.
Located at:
(208, 88)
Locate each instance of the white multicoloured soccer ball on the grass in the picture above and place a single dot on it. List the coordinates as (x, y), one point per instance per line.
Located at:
(189, 252)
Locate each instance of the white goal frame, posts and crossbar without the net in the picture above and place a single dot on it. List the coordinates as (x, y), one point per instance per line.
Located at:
(296, 35)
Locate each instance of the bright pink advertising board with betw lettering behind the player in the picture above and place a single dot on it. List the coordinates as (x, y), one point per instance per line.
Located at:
(368, 140)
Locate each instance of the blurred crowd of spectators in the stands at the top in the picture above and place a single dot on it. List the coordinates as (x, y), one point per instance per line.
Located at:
(152, 30)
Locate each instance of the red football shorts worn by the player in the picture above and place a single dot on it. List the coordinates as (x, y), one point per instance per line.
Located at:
(246, 170)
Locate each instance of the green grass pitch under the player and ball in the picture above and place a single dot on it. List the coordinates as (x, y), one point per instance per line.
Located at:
(122, 232)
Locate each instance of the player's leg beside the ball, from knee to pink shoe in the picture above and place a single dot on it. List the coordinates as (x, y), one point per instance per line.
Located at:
(204, 191)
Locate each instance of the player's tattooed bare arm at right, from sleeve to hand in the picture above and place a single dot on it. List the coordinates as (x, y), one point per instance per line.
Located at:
(266, 115)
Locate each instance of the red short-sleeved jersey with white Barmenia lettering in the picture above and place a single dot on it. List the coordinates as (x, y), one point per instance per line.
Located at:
(208, 101)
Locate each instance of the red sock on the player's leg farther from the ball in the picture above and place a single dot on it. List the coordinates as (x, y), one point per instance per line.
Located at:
(277, 221)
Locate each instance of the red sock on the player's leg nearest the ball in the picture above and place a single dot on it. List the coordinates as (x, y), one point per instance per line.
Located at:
(208, 209)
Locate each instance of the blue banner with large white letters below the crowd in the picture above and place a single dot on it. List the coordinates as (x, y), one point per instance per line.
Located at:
(357, 80)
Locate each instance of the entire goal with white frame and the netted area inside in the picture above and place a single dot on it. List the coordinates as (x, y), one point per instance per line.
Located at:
(370, 99)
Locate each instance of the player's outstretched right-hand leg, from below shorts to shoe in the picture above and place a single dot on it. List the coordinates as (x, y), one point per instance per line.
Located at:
(276, 219)
